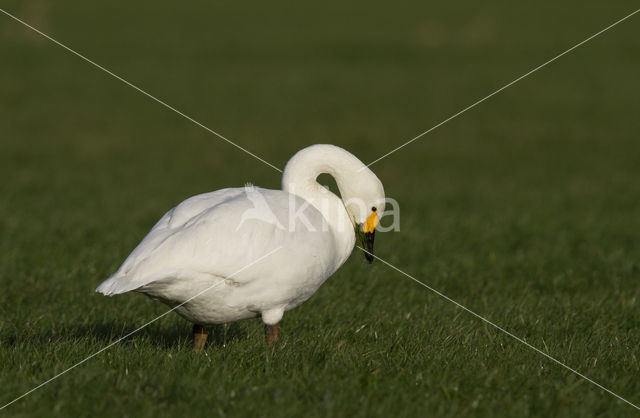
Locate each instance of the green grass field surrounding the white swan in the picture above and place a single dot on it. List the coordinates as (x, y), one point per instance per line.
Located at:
(525, 209)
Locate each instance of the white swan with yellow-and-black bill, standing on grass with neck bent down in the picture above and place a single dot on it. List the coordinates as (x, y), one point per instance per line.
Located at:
(258, 255)
